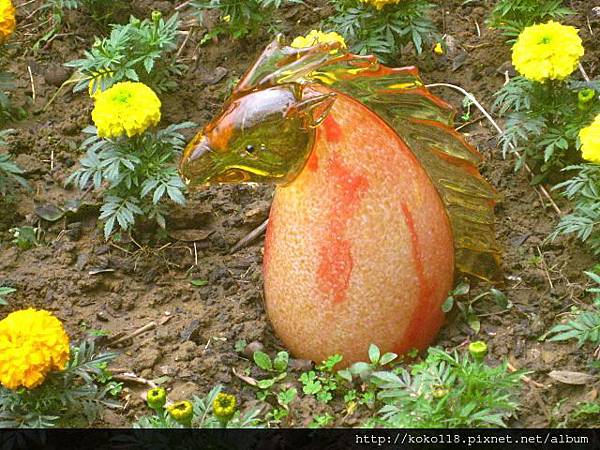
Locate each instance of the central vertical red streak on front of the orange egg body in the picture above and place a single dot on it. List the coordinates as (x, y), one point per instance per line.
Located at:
(335, 255)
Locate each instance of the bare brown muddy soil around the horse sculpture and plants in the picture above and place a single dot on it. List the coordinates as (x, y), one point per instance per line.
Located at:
(148, 281)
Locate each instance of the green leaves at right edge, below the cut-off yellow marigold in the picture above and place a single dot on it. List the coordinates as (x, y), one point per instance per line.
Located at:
(583, 190)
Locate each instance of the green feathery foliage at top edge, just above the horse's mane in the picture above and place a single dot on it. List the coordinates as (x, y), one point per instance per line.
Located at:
(383, 32)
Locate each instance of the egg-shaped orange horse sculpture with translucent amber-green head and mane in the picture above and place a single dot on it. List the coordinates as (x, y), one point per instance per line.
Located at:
(378, 198)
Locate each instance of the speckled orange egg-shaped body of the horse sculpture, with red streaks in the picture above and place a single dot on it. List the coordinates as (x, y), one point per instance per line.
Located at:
(359, 248)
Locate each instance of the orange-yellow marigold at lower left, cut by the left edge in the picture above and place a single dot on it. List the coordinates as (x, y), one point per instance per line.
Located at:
(32, 343)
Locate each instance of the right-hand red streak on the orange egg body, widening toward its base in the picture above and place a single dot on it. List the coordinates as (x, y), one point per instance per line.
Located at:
(426, 317)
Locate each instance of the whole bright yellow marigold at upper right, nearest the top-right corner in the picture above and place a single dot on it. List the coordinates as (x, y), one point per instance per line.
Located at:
(549, 51)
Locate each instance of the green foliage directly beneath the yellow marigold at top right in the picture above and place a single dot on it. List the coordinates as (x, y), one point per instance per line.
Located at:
(543, 121)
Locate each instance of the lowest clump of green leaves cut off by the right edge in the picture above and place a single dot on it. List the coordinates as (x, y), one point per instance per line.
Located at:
(582, 325)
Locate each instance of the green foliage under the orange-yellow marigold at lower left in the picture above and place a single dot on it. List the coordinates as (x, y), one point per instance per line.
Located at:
(65, 398)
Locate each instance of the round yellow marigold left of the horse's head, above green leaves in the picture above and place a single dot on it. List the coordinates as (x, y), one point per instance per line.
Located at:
(125, 108)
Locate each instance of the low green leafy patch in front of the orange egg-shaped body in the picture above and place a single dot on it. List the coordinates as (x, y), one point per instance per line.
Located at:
(444, 390)
